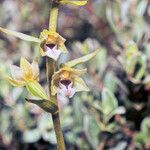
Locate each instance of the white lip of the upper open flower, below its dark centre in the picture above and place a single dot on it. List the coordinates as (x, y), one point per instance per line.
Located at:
(52, 53)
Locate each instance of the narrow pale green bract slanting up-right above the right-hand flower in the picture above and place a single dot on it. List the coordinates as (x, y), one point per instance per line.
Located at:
(80, 60)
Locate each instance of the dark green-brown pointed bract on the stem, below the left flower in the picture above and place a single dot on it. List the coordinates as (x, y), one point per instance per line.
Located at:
(46, 105)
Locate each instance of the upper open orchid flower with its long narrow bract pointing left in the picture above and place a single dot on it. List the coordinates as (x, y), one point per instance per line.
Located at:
(51, 43)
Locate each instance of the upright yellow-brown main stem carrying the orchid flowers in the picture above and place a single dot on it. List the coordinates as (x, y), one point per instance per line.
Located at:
(50, 69)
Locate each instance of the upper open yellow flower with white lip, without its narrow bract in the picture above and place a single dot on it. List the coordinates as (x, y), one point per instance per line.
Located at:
(52, 44)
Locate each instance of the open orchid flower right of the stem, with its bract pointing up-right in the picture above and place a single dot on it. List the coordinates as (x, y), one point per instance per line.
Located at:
(67, 81)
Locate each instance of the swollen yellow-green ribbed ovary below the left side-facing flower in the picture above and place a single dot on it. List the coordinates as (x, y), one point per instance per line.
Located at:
(36, 89)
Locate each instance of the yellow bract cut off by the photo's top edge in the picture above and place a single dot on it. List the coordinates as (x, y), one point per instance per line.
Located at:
(75, 3)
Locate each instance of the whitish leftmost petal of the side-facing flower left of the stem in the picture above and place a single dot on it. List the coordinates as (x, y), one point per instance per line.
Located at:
(16, 72)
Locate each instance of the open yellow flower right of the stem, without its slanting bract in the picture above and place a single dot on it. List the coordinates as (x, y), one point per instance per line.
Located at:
(67, 81)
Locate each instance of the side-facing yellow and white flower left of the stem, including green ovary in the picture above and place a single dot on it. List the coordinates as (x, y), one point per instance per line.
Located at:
(27, 75)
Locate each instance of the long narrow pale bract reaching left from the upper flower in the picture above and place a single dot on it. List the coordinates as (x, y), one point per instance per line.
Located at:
(20, 35)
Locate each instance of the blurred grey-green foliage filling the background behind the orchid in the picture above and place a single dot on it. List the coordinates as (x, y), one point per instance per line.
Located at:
(115, 114)
